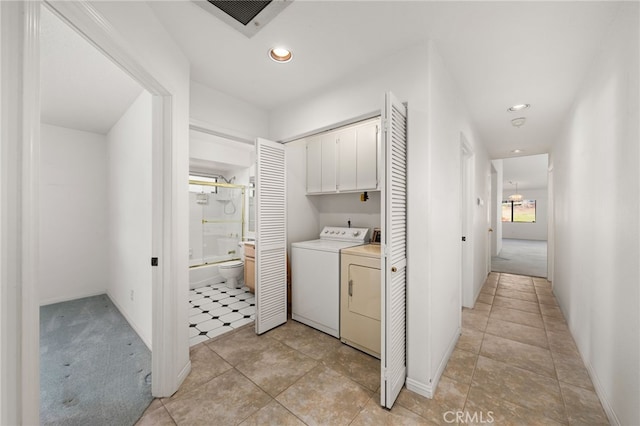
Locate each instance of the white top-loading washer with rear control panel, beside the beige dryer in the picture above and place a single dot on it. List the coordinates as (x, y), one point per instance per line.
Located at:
(315, 277)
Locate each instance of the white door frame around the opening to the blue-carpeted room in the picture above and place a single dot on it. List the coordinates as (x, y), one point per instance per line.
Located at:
(23, 406)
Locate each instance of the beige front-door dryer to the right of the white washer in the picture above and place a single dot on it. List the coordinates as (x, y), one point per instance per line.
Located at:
(360, 309)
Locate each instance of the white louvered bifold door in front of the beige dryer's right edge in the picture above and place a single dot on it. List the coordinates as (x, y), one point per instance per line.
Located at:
(394, 259)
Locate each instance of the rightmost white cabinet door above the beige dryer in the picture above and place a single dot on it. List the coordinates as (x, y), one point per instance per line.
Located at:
(367, 157)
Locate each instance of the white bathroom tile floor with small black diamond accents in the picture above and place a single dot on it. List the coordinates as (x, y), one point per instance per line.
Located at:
(215, 309)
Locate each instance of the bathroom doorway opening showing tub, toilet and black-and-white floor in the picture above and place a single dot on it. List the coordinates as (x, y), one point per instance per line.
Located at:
(221, 233)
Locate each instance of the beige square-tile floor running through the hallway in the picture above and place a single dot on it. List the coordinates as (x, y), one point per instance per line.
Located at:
(515, 364)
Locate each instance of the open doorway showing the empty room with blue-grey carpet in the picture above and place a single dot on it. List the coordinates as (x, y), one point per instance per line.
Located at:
(95, 197)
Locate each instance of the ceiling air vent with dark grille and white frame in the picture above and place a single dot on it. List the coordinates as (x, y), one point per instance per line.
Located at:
(248, 16)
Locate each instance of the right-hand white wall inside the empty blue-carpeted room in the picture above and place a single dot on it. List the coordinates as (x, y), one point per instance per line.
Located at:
(130, 218)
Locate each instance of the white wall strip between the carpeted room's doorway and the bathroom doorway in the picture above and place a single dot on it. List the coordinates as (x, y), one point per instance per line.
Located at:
(157, 53)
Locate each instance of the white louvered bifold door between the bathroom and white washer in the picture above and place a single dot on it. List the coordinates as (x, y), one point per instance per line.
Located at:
(271, 236)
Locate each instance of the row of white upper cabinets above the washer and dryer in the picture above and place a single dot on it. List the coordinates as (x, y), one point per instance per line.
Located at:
(345, 159)
